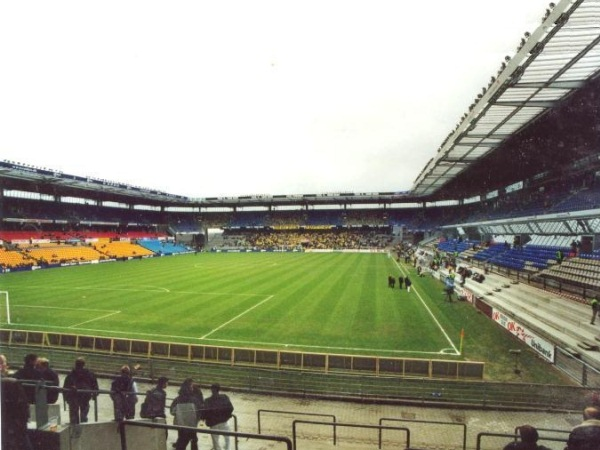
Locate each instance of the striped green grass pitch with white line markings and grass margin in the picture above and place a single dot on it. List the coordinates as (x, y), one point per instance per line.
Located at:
(325, 302)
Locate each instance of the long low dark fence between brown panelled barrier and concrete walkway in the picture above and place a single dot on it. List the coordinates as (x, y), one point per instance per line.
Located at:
(334, 386)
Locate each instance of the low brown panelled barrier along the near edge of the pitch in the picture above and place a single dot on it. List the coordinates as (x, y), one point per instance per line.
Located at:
(249, 357)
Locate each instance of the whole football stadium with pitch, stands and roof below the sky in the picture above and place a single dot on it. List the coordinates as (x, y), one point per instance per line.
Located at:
(461, 313)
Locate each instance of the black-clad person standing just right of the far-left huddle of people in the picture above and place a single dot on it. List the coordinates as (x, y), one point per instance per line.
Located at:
(79, 379)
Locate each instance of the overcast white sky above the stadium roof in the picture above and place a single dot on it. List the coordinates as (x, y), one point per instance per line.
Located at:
(227, 98)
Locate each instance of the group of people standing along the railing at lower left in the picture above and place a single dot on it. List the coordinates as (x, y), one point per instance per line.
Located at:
(80, 387)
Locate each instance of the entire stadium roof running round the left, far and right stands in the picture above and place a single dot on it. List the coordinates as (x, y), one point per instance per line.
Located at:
(551, 63)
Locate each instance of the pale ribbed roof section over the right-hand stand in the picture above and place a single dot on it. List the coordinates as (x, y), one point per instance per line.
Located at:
(552, 62)
